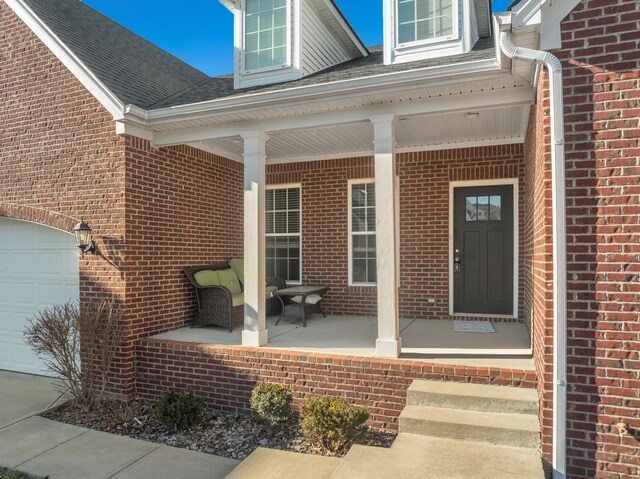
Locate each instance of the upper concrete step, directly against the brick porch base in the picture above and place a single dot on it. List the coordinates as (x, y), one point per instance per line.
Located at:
(478, 397)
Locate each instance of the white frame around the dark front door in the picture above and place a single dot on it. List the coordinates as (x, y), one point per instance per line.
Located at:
(514, 182)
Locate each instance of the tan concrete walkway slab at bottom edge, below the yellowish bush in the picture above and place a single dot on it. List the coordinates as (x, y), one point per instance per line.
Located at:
(274, 464)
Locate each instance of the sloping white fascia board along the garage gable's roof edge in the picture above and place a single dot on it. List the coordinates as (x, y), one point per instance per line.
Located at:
(91, 82)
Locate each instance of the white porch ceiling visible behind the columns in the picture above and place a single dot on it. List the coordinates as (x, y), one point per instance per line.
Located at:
(414, 133)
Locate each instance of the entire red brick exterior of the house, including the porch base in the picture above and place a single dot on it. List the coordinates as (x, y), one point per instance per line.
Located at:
(154, 211)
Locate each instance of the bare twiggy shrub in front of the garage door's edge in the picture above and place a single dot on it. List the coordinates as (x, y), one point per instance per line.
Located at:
(78, 346)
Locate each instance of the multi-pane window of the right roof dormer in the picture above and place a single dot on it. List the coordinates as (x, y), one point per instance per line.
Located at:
(423, 20)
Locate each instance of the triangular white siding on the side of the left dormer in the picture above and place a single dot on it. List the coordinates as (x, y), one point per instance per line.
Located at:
(320, 48)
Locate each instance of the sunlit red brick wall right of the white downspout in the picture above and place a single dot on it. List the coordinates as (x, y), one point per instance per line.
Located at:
(601, 60)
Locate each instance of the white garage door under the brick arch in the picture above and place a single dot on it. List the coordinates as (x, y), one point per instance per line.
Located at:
(38, 268)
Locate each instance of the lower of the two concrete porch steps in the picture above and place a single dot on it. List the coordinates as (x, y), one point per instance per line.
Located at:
(518, 430)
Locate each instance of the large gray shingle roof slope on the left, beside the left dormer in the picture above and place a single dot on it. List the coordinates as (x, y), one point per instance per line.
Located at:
(135, 70)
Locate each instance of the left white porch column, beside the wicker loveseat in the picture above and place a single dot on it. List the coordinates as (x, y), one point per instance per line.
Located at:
(255, 326)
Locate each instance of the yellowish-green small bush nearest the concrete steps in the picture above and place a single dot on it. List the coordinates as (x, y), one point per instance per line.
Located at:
(331, 423)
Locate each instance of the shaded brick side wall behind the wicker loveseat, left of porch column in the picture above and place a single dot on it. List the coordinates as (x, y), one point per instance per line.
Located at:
(184, 208)
